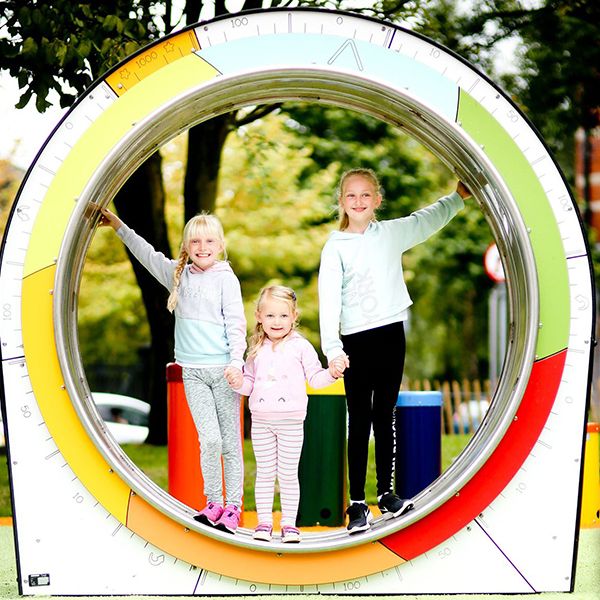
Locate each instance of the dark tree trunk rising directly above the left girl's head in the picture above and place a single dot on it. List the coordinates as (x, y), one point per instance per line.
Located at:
(205, 146)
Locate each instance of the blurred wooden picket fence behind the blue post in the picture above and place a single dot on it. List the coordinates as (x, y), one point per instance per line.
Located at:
(464, 403)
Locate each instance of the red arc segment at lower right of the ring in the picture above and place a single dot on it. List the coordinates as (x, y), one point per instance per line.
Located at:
(495, 474)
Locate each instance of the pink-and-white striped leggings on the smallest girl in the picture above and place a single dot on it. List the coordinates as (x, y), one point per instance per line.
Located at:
(277, 448)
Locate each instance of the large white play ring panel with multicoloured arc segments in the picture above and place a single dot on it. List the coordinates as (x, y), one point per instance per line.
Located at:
(480, 509)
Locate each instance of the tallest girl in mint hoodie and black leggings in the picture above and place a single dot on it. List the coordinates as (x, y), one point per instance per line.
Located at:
(363, 303)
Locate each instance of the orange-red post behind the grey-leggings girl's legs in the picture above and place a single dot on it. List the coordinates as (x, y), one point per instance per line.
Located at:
(185, 476)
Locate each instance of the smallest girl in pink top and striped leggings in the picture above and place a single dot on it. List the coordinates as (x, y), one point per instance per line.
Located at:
(279, 363)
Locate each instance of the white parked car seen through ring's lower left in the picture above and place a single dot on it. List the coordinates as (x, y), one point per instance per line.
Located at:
(125, 417)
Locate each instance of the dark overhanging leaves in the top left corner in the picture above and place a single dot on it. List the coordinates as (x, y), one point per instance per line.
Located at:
(63, 46)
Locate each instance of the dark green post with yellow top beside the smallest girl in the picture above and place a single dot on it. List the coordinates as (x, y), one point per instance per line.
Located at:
(322, 470)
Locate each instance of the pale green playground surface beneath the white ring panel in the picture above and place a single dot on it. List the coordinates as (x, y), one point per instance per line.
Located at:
(587, 580)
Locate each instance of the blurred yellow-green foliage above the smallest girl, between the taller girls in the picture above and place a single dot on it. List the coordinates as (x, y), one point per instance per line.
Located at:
(275, 224)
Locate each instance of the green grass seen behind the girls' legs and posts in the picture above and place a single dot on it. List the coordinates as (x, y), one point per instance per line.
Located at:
(152, 460)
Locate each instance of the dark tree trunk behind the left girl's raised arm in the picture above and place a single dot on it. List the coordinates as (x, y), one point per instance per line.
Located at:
(140, 203)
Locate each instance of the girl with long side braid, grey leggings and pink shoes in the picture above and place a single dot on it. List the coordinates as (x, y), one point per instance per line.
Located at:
(210, 340)
